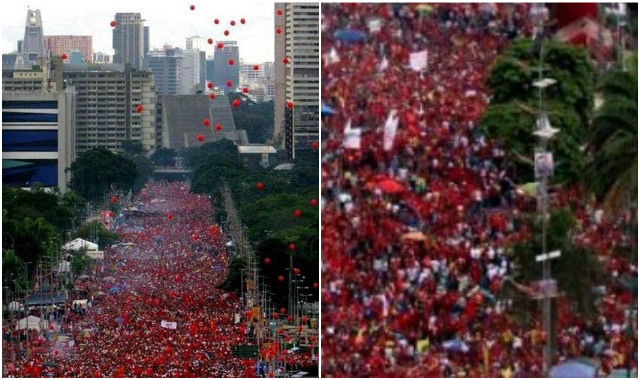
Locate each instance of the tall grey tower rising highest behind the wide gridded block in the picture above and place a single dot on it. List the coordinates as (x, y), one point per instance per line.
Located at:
(130, 39)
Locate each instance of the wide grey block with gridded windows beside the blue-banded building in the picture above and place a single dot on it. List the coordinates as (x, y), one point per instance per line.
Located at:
(107, 100)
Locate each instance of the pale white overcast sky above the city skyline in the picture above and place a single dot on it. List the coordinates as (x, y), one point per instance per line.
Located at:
(169, 22)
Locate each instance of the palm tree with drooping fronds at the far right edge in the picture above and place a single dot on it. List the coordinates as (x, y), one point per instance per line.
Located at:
(612, 169)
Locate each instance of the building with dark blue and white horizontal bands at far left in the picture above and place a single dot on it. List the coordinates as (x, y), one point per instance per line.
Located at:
(38, 123)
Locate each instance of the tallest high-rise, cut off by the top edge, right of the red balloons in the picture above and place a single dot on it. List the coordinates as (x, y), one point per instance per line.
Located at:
(298, 81)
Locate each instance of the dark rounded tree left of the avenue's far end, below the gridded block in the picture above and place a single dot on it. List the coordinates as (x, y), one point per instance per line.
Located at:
(99, 170)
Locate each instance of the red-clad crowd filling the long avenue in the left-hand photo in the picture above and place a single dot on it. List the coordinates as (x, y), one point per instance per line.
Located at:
(155, 308)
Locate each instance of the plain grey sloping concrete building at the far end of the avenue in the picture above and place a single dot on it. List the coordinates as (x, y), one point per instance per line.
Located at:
(182, 117)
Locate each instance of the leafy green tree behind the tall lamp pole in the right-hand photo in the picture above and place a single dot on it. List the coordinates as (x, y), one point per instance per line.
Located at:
(511, 116)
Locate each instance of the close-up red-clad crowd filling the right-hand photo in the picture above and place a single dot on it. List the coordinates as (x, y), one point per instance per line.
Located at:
(415, 233)
